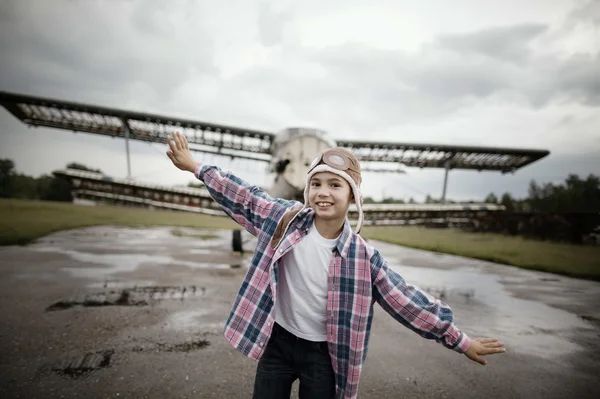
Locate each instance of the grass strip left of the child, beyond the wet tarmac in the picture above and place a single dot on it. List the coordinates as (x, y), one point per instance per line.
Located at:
(22, 221)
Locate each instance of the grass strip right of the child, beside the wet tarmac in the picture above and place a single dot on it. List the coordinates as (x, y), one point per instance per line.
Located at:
(566, 259)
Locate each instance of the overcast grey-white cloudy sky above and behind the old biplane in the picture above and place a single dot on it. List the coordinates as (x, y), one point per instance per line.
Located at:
(476, 72)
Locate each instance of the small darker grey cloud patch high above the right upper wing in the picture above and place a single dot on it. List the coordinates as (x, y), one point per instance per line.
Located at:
(507, 43)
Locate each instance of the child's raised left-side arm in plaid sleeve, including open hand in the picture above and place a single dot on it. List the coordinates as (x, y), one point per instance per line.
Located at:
(248, 205)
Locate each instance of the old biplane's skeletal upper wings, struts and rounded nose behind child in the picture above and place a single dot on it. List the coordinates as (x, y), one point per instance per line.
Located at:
(288, 153)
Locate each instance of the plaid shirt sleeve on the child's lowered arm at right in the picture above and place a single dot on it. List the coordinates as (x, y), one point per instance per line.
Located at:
(415, 309)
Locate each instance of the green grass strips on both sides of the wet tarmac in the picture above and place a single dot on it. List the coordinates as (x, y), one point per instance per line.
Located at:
(22, 222)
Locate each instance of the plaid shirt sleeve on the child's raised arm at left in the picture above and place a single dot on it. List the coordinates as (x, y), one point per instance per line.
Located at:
(248, 205)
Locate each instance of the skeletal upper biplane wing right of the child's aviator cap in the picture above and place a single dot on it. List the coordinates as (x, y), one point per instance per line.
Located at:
(505, 160)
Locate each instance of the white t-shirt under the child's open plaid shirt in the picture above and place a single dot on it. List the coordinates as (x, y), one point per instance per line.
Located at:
(301, 305)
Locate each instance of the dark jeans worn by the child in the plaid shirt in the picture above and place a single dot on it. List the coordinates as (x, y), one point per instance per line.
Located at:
(288, 358)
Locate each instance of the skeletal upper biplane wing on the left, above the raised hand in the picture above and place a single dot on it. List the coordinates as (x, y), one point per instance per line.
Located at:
(203, 136)
